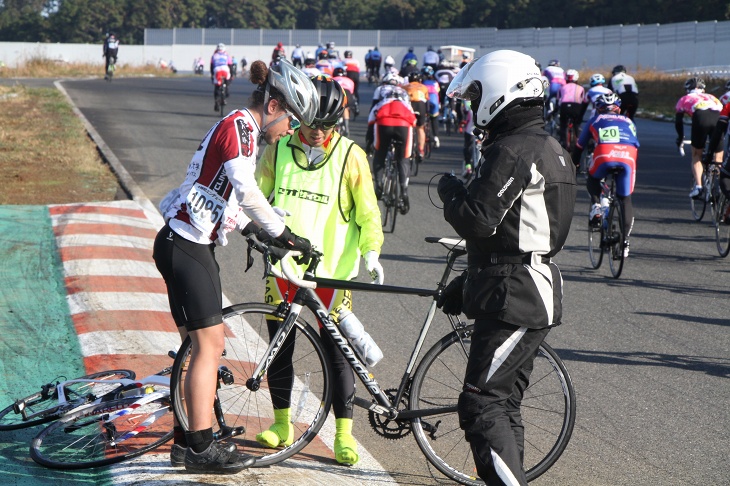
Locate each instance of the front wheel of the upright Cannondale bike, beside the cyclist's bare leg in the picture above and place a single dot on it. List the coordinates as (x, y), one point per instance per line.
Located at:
(303, 382)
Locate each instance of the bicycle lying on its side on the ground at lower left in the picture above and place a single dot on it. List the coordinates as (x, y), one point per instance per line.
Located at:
(96, 420)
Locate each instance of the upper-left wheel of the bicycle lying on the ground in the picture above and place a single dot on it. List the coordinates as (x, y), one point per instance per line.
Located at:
(42, 407)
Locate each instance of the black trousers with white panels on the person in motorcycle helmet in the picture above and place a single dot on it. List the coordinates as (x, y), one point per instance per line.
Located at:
(497, 374)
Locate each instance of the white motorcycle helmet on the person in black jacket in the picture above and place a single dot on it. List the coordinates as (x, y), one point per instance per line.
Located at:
(495, 80)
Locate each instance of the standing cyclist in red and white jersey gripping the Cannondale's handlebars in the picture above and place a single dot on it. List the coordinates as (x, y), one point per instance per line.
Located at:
(220, 195)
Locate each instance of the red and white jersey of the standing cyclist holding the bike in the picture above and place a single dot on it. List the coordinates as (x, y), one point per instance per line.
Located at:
(220, 192)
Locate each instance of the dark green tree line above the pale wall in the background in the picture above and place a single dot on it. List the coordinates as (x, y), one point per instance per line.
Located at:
(86, 21)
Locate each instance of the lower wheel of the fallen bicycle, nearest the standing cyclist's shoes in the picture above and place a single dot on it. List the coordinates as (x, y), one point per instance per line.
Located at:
(87, 438)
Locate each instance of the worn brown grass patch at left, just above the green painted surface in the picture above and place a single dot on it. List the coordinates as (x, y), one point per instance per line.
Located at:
(46, 155)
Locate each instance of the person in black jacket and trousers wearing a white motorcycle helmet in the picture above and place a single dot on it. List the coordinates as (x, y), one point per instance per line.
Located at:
(514, 217)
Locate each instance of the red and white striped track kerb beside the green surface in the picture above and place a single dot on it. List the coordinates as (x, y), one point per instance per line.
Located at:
(119, 308)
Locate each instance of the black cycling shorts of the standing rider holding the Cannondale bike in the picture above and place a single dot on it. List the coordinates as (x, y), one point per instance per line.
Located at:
(192, 276)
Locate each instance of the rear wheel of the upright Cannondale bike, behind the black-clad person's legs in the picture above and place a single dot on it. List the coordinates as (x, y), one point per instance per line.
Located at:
(548, 409)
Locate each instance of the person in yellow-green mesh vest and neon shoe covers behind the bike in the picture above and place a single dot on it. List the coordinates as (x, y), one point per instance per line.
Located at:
(323, 181)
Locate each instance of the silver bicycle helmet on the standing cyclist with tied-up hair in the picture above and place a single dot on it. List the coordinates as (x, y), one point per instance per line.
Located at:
(297, 88)
